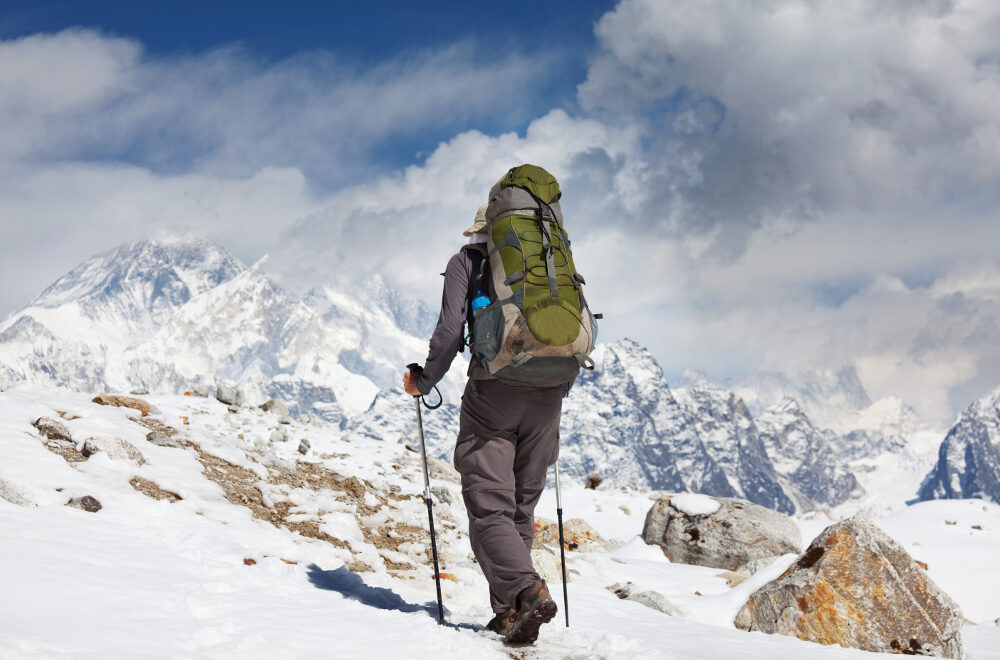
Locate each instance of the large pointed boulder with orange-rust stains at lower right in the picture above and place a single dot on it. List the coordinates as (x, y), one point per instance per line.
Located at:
(857, 587)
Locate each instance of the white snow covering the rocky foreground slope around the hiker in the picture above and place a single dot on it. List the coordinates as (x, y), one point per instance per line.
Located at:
(203, 578)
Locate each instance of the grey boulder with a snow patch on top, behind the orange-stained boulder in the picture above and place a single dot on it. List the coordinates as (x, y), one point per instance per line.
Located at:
(738, 532)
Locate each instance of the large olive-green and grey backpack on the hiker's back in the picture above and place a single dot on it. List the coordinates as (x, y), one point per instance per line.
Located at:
(537, 330)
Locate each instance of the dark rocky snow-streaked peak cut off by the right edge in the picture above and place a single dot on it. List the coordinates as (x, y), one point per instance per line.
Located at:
(969, 458)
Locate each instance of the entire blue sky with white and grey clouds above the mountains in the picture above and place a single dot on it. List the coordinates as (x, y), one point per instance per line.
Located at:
(783, 185)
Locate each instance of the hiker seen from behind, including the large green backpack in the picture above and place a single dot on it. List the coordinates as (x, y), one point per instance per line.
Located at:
(508, 433)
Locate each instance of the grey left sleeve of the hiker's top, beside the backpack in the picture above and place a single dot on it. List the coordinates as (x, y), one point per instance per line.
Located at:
(447, 338)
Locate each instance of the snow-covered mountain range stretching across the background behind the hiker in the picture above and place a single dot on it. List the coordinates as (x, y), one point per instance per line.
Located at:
(183, 314)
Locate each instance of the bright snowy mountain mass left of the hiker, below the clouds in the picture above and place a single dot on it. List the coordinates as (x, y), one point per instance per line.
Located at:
(171, 315)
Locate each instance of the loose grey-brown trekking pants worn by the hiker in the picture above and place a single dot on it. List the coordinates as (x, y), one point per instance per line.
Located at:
(508, 437)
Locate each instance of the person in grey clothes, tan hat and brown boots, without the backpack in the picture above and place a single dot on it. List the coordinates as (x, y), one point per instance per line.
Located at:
(508, 437)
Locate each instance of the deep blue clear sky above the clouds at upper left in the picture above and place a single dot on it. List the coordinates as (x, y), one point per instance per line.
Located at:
(359, 36)
